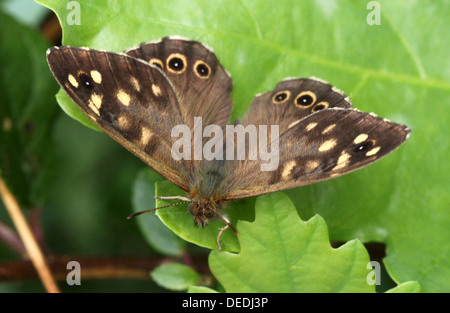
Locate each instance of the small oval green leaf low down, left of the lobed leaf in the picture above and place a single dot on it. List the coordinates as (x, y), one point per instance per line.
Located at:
(175, 276)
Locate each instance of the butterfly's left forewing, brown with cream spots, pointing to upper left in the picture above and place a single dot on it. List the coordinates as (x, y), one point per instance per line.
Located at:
(132, 101)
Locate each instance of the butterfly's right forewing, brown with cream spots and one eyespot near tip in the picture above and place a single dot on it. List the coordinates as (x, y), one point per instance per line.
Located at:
(323, 145)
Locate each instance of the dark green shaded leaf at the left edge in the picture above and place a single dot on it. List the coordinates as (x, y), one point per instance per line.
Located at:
(27, 110)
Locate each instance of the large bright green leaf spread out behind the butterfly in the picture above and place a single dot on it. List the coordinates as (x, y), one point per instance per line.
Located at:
(398, 69)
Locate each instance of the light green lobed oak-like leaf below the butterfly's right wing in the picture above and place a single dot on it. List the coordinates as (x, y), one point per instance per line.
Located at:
(281, 253)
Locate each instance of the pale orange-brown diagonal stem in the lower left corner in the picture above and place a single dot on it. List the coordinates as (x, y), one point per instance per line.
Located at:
(25, 233)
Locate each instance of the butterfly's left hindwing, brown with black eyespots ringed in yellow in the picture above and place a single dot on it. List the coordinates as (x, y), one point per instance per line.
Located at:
(202, 84)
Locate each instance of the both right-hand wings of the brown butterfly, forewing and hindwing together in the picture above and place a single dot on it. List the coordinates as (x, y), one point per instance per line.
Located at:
(319, 138)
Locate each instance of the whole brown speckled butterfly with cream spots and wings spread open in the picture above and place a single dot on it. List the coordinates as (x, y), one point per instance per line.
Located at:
(139, 96)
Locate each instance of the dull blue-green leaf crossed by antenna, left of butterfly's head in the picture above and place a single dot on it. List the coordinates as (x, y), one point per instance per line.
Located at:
(157, 235)
